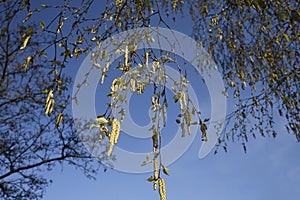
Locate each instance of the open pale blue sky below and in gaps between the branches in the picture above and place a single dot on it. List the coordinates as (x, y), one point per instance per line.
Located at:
(269, 170)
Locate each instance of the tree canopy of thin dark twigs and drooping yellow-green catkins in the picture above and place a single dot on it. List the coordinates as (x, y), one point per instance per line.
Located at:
(254, 44)
